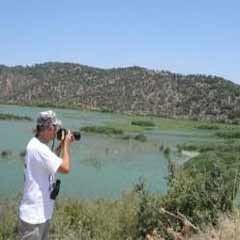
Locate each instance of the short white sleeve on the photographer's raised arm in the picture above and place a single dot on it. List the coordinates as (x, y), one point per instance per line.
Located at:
(50, 160)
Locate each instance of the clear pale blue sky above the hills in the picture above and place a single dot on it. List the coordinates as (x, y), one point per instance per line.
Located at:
(183, 36)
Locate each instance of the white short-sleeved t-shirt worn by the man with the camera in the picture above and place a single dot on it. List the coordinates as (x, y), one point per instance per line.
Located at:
(41, 164)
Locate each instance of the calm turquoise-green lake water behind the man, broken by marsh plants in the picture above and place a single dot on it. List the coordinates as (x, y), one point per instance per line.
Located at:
(102, 166)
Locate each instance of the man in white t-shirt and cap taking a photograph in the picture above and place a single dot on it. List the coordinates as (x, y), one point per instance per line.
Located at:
(41, 164)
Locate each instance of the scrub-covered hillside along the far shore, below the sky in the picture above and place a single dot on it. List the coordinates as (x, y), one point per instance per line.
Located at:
(130, 90)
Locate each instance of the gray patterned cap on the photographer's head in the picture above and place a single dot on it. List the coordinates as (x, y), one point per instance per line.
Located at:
(48, 118)
